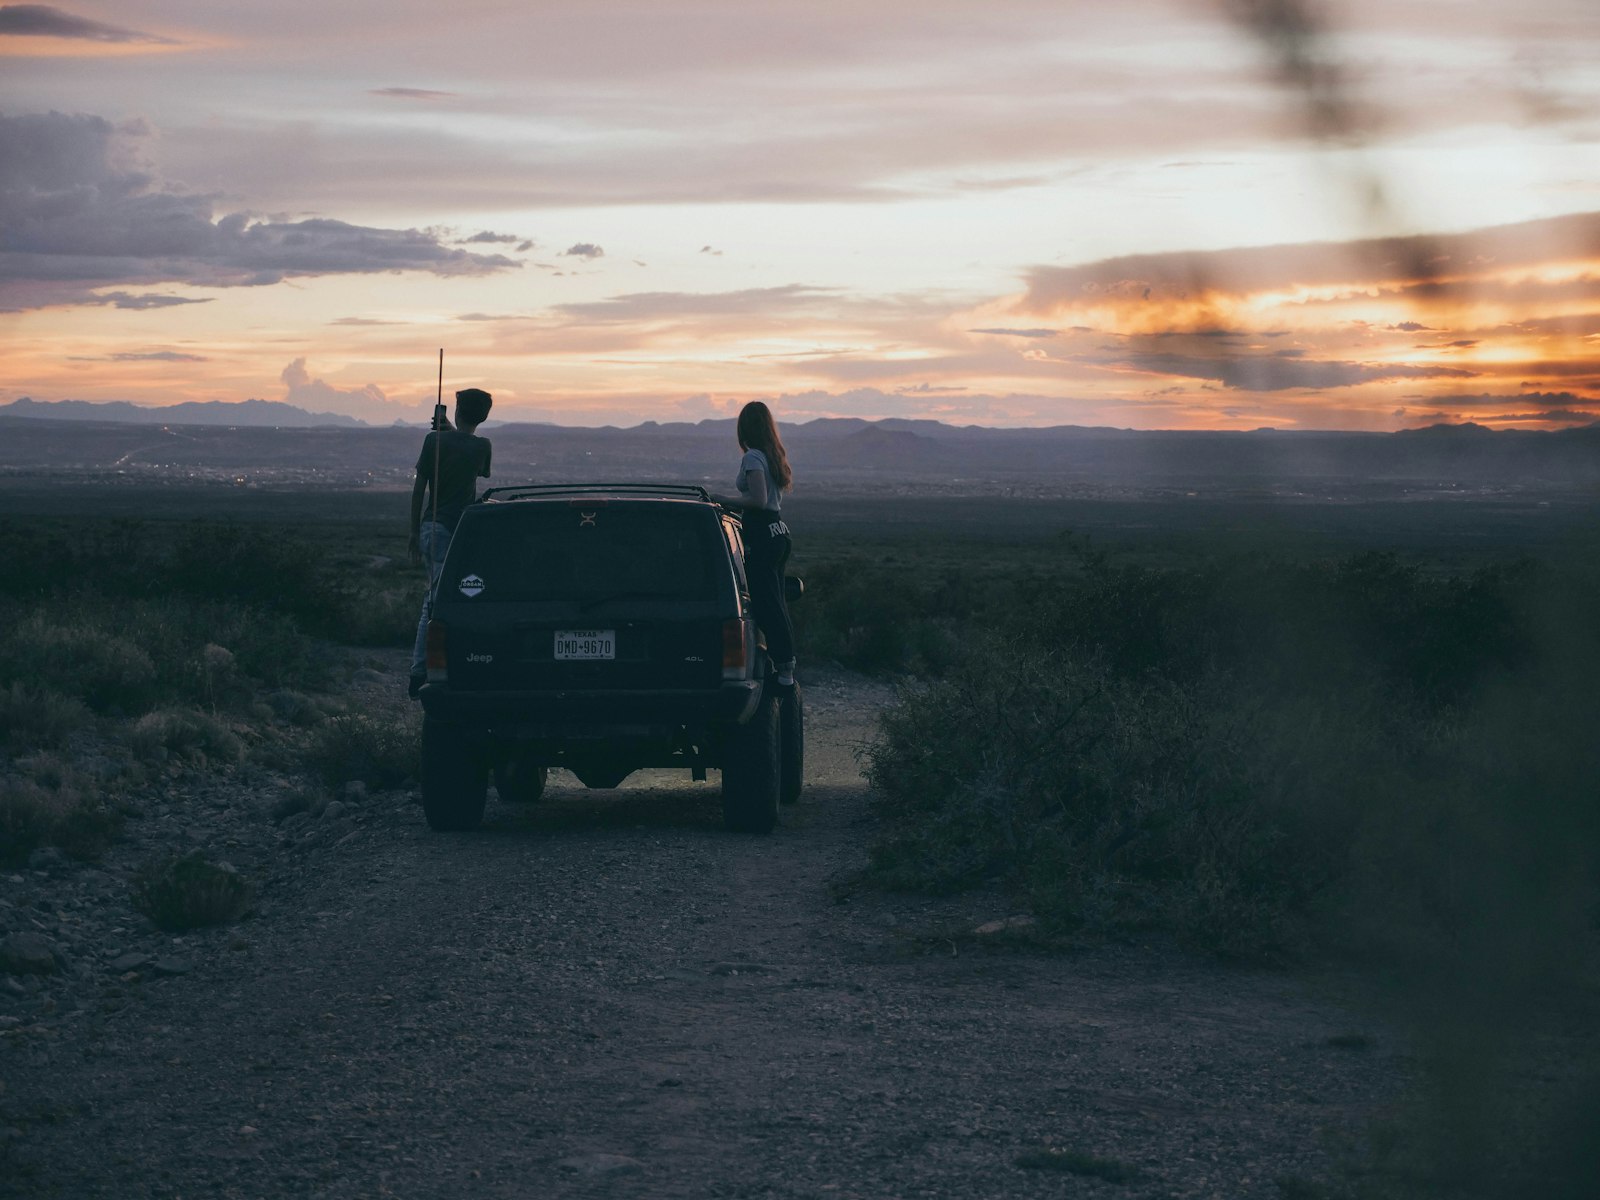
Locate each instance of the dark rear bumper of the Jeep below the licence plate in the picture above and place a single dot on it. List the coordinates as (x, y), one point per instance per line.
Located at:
(590, 714)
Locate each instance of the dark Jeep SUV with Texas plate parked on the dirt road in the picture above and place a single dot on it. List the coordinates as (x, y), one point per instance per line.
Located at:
(602, 630)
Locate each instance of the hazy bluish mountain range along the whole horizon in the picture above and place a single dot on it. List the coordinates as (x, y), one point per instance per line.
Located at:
(266, 444)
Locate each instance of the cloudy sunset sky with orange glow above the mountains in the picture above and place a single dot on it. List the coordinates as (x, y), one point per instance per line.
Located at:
(1150, 214)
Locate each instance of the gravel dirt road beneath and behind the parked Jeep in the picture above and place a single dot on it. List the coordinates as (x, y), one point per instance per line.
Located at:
(607, 994)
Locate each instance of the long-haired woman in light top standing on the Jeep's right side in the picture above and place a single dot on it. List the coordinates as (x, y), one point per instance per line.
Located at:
(764, 479)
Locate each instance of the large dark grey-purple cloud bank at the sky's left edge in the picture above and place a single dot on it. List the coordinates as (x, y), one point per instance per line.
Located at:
(76, 217)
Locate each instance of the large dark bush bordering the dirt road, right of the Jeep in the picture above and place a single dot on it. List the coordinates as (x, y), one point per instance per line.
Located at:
(1111, 806)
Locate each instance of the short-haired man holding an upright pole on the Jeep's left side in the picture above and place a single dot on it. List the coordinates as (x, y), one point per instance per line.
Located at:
(460, 458)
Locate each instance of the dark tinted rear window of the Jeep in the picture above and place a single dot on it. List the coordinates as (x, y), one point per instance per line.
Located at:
(590, 553)
